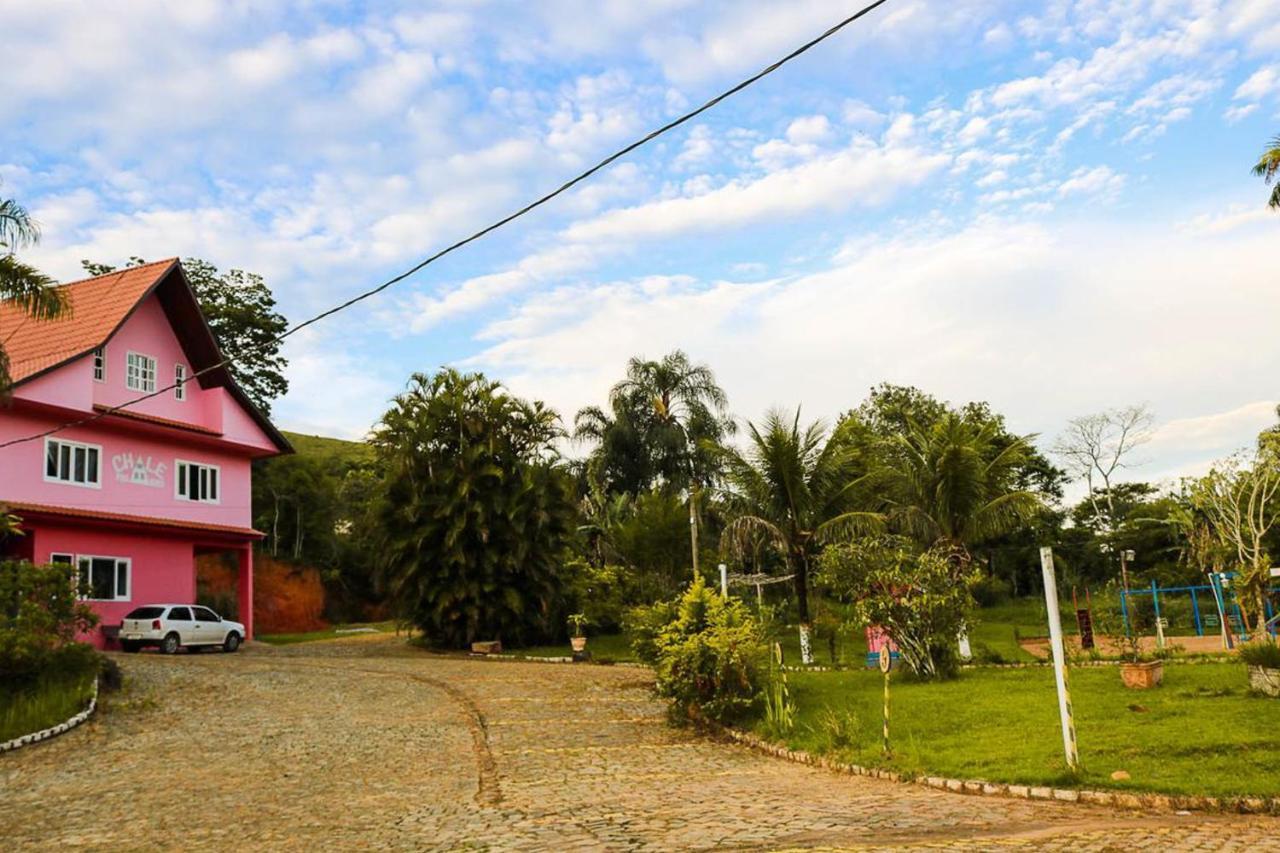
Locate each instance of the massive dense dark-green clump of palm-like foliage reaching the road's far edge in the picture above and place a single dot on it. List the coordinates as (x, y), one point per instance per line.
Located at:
(476, 516)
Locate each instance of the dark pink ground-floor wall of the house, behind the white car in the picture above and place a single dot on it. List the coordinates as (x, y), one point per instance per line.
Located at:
(163, 569)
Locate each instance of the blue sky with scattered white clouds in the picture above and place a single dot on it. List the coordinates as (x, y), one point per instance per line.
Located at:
(1043, 206)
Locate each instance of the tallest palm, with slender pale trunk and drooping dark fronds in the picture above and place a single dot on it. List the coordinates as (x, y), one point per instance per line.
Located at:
(669, 418)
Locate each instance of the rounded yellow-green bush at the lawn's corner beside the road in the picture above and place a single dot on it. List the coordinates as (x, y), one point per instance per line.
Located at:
(711, 659)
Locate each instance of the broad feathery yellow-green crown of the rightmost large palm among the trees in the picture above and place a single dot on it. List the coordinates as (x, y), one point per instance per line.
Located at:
(954, 483)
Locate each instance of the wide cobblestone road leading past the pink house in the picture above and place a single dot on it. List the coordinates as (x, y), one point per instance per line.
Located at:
(368, 745)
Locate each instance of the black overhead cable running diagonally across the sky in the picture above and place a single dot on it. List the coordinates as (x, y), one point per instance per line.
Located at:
(565, 188)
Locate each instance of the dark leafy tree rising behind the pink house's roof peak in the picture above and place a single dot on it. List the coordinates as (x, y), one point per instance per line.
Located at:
(241, 312)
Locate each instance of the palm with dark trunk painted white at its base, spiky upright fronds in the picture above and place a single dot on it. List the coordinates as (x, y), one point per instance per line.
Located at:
(796, 490)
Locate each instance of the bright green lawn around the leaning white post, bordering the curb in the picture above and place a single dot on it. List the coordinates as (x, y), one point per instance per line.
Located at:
(1201, 733)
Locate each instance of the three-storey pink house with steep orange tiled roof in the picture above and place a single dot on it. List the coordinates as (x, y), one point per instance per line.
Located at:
(134, 496)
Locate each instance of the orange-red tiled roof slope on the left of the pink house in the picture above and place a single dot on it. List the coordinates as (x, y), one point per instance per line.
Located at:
(99, 305)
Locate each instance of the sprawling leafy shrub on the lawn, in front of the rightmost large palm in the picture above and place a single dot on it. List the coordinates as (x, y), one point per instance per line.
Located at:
(920, 597)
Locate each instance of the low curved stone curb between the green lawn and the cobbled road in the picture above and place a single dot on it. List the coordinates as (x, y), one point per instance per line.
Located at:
(979, 788)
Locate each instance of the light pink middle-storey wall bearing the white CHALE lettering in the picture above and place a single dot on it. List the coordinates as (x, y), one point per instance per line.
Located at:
(22, 473)
